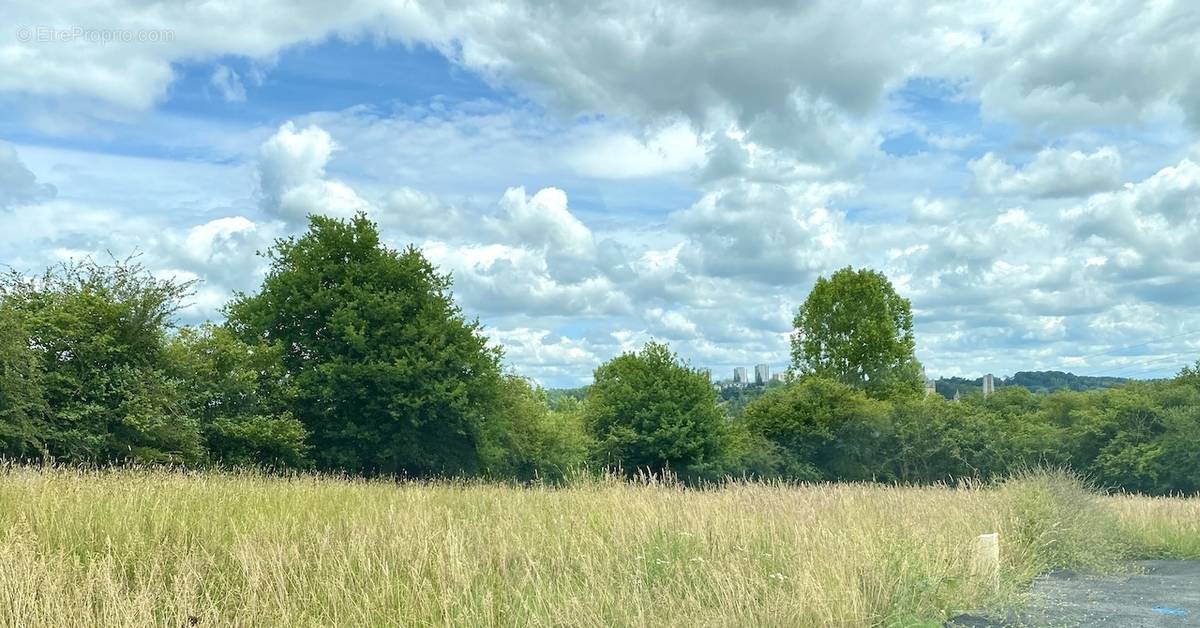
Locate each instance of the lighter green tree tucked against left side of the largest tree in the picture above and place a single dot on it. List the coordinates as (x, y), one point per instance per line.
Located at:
(242, 398)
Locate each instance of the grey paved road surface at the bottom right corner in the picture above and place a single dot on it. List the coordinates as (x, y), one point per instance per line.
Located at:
(1166, 595)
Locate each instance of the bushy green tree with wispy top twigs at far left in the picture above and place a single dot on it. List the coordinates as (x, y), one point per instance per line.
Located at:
(100, 338)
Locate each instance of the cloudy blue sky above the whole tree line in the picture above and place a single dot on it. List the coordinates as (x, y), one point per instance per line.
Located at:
(599, 175)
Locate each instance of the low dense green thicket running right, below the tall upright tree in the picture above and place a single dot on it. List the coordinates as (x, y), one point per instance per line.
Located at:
(1139, 438)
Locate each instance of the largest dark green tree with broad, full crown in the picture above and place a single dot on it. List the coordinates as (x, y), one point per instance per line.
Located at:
(389, 375)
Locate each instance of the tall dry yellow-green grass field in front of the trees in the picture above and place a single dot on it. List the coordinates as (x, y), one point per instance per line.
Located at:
(140, 548)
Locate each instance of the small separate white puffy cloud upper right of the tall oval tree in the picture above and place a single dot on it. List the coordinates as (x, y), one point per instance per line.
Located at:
(1054, 174)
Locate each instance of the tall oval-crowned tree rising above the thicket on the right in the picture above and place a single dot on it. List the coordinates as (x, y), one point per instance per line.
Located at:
(855, 328)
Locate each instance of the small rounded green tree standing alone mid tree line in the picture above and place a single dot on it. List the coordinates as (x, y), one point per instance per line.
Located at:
(650, 412)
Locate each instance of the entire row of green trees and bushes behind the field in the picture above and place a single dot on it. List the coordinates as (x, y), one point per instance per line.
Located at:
(353, 357)
